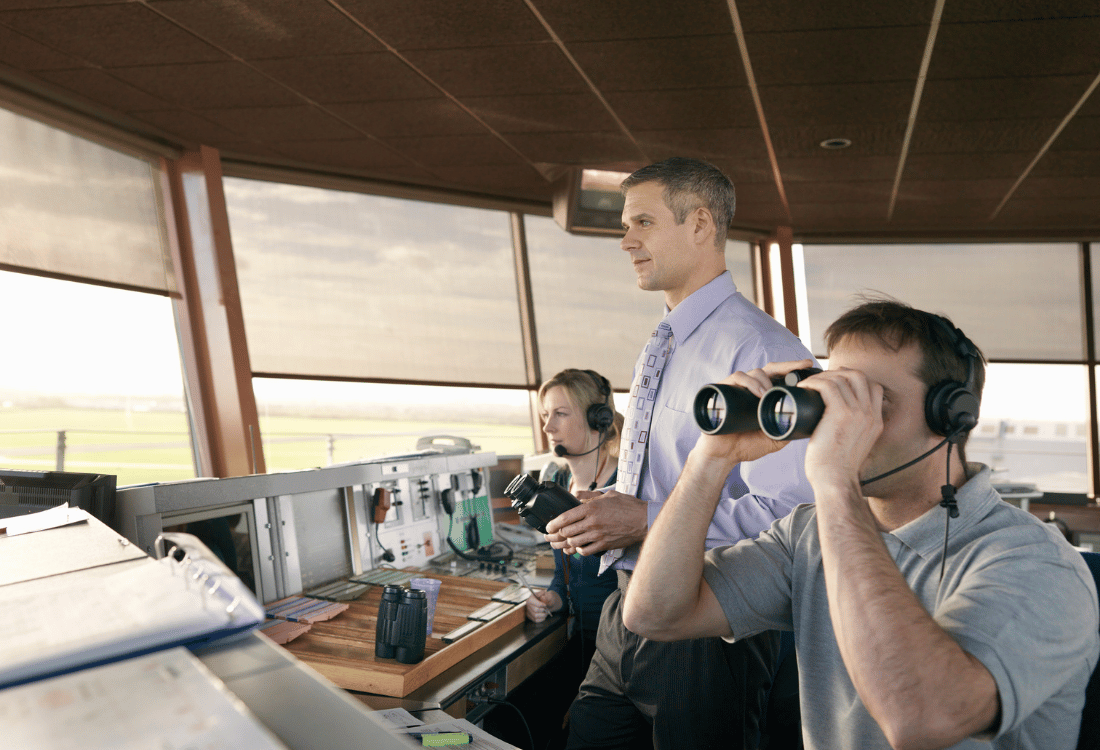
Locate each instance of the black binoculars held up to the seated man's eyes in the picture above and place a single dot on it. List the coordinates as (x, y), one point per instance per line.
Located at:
(784, 413)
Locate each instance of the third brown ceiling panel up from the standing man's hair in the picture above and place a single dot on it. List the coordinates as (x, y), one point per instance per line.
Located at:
(696, 62)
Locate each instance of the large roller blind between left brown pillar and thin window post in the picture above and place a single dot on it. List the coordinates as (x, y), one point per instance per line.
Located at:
(338, 284)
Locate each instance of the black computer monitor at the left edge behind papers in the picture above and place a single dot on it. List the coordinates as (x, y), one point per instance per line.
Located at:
(29, 492)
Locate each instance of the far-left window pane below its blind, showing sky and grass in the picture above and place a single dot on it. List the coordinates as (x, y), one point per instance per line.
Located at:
(91, 382)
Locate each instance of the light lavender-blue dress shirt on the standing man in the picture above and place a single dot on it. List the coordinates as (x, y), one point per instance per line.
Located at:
(716, 333)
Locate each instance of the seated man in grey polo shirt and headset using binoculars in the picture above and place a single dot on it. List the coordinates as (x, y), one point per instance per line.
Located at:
(927, 612)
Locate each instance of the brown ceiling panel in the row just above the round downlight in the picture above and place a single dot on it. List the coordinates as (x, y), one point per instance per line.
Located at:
(838, 105)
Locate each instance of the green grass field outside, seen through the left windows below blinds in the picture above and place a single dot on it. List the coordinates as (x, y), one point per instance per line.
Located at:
(141, 447)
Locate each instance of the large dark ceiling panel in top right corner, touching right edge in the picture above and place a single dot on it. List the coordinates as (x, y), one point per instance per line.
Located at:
(1026, 49)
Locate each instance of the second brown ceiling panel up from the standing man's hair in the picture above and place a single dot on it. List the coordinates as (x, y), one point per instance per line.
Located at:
(725, 107)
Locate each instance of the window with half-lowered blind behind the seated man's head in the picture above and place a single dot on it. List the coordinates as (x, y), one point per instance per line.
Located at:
(1035, 415)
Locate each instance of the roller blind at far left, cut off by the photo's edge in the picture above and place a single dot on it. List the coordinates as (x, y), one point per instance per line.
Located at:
(73, 207)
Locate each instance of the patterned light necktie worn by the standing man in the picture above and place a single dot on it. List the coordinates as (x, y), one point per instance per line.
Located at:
(640, 414)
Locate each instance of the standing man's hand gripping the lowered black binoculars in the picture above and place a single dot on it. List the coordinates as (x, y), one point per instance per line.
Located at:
(603, 522)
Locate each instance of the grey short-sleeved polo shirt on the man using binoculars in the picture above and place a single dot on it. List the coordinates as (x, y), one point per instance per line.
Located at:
(1016, 595)
